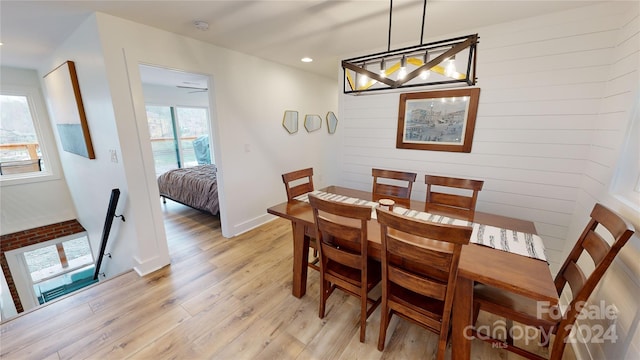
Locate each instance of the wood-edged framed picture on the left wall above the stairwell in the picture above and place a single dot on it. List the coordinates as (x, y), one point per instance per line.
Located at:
(67, 110)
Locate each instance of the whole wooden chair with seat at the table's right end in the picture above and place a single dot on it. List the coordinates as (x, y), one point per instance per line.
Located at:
(528, 312)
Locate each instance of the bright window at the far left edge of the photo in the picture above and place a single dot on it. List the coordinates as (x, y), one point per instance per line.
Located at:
(20, 150)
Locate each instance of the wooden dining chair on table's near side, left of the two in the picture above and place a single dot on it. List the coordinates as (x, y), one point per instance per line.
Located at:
(341, 232)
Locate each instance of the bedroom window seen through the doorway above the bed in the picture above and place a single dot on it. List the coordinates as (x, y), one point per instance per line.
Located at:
(179, 136)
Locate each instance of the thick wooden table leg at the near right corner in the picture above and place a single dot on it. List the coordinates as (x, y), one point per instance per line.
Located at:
(462, 319)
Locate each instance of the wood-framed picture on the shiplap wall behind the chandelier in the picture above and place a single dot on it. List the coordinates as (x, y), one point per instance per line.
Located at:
(438, 120)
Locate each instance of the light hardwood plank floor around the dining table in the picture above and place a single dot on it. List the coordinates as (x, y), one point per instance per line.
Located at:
(220, 298)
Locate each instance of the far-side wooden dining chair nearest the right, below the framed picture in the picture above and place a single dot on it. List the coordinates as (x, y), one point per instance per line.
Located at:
(449, 197)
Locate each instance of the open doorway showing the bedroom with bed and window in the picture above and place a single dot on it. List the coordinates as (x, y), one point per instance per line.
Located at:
(181, 132)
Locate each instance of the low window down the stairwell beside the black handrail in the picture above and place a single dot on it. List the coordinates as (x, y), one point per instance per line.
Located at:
(58, 268)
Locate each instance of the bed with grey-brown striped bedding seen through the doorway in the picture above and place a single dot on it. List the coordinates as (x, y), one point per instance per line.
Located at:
(196, 187)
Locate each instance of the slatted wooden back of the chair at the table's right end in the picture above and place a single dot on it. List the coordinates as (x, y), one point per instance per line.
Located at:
(601, 253)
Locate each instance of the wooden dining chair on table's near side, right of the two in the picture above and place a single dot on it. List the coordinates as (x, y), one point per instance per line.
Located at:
(419, 272)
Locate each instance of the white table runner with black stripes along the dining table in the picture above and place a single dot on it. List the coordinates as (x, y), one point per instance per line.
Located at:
(516, 242)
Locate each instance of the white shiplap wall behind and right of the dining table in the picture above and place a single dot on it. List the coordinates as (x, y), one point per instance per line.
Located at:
(556, 91)
